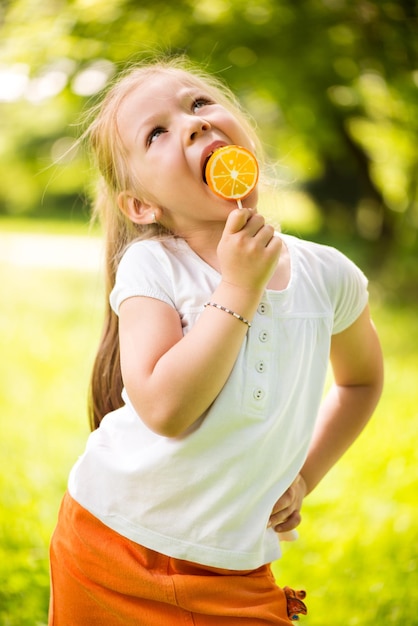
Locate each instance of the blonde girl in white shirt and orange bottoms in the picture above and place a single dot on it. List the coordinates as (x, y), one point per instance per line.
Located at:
(173, 511)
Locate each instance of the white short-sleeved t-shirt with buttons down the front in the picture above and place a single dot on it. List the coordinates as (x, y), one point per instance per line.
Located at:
(207, 496)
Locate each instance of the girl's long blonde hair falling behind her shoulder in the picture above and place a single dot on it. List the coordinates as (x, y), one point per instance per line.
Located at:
(111, 160)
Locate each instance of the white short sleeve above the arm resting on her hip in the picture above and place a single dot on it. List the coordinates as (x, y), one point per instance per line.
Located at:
(350, 293)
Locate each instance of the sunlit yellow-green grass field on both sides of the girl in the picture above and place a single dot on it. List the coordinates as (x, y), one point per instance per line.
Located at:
(358, 546)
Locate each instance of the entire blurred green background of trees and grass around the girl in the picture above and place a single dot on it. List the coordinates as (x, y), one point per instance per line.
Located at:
(333, 85)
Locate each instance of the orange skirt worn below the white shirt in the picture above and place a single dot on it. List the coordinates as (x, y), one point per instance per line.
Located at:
(99, 577)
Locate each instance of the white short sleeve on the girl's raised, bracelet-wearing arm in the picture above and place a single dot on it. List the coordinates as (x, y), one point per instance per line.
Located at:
(142, 271)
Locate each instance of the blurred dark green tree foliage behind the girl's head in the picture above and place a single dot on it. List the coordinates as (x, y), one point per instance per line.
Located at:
(332, 83)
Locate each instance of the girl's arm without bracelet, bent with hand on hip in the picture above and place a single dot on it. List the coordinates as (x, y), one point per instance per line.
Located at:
(357, 365)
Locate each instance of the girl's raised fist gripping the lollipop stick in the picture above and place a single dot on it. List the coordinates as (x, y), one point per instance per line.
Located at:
(248, 251)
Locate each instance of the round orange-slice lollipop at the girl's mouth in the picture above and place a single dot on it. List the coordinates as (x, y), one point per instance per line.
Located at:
(232, 173)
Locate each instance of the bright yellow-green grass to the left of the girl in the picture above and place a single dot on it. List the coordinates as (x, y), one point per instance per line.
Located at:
(49, 327)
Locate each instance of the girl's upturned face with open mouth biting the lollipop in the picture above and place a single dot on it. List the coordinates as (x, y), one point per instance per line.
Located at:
(170, 128)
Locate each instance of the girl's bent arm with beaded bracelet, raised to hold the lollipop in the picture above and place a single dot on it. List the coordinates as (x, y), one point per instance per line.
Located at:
(172, 379)
